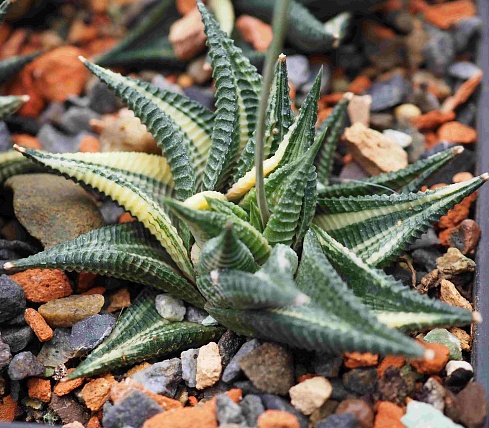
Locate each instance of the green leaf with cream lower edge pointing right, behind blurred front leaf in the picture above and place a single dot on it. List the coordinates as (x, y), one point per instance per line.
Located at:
(393, 303)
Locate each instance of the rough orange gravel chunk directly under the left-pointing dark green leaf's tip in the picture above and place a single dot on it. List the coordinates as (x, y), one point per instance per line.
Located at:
(43, 285)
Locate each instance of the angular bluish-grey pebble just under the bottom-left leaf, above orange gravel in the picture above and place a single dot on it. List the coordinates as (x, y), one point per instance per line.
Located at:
(161, 378)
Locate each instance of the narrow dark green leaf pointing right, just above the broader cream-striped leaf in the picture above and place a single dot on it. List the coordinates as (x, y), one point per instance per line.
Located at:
(406, 180)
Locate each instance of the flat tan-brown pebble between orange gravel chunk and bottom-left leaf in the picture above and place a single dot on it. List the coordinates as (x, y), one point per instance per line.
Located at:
(67, 311)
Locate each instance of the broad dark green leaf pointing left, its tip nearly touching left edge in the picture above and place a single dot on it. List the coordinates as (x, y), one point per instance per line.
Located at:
(125, 251)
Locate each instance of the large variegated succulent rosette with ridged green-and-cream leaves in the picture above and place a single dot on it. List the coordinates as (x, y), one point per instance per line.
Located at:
(308, 276)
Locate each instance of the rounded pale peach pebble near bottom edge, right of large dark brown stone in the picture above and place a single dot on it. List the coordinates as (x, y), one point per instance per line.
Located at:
(311, 394)
